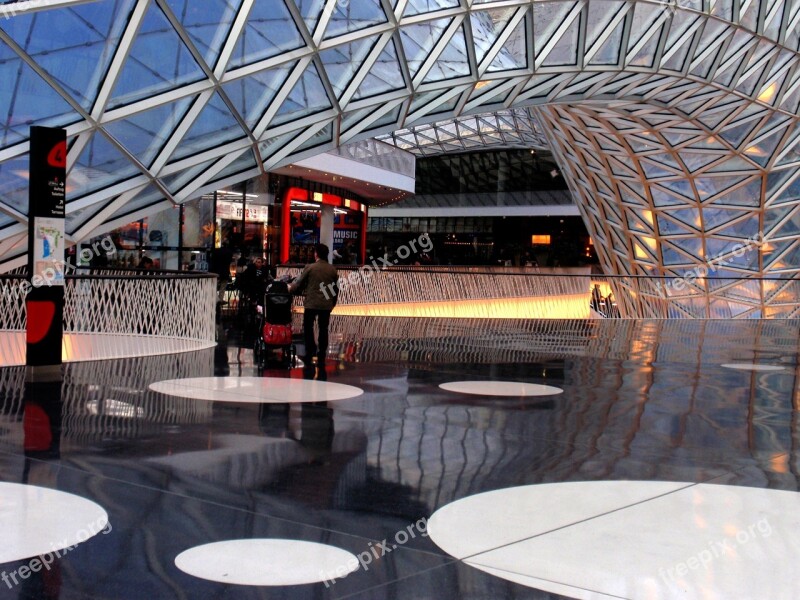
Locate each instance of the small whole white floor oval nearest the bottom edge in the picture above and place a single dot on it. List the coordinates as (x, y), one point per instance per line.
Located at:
(266, 562)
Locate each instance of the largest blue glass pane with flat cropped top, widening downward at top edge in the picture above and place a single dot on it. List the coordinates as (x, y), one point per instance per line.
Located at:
(270, 31)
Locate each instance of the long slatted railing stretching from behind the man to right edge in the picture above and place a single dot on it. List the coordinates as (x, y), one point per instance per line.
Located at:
(621, 296)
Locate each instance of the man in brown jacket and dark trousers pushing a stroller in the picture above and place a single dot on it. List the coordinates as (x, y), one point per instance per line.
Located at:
(316, 283)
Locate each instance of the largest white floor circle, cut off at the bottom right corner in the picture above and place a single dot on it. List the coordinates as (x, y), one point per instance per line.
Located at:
(630, 539)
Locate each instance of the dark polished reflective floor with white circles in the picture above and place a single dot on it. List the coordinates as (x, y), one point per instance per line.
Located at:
(666, 468)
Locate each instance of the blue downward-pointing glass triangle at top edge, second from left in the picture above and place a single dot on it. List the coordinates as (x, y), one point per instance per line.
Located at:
(208, 25)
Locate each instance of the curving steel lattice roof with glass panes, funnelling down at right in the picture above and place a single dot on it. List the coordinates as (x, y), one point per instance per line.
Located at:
(676, 125)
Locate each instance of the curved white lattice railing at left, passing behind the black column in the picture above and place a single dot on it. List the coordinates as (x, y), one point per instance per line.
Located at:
(112, 314)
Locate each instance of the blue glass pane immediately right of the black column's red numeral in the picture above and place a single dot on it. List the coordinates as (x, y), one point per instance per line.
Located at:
(99, 165)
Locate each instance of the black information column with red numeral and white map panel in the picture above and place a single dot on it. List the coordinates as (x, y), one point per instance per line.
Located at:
(45, 301)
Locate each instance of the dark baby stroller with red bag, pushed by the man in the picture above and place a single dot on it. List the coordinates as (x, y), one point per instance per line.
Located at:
(275, 327)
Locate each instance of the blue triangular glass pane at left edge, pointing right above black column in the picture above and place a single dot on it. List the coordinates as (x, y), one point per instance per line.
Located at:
(26, 99)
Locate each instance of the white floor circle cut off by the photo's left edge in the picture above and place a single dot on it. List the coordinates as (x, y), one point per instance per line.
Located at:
(35, 521)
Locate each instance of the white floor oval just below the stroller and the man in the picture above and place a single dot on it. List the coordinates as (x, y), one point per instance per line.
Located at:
(276, 390)
